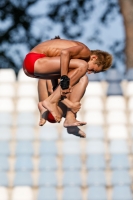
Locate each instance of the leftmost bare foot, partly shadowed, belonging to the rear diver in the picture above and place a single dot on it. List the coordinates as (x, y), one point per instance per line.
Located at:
(43, 114)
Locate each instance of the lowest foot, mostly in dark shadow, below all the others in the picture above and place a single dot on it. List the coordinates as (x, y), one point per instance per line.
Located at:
(76, 131)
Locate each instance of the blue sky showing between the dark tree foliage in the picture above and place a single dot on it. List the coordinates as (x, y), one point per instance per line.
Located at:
(108, 33)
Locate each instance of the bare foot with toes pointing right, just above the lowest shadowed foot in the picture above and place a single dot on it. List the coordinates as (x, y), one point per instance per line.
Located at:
(73, 122)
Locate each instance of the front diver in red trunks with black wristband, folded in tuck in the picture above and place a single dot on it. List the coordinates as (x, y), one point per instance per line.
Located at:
(68, 61)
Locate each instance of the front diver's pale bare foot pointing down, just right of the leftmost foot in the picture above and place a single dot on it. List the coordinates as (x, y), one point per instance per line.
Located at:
(52, 107)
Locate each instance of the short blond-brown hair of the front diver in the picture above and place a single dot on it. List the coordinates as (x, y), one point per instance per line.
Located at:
(104, 58)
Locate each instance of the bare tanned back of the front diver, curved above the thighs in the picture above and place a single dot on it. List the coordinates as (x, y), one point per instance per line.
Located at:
(53, 48)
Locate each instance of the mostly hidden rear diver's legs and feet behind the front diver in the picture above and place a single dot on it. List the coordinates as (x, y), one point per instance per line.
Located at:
(45, 88)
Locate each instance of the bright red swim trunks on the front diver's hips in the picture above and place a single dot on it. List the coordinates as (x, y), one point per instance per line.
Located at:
(28, 64)
